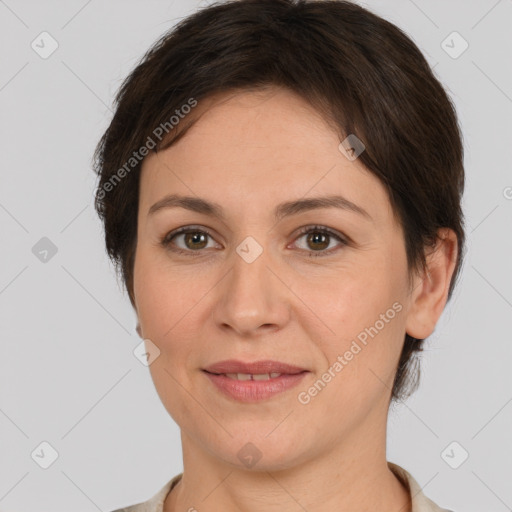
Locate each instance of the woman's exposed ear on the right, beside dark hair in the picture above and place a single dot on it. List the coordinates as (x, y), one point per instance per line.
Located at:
(430, 290)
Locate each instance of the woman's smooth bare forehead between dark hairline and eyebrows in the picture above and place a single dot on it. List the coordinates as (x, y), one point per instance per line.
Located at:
(257, 144)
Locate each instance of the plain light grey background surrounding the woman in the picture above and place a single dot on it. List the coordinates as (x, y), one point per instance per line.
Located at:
(67, 372)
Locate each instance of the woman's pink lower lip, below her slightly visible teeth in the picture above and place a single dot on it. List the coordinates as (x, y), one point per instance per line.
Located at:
(254, 390)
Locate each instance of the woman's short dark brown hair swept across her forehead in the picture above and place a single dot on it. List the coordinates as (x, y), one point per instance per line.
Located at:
(364, 74)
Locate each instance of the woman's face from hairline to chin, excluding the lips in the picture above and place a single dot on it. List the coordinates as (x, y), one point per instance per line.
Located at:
(324, 289)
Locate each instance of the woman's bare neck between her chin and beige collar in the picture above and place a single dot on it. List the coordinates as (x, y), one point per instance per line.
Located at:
(352, 477)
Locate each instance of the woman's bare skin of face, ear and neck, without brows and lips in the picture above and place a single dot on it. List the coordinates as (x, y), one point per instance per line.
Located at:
(250, 151)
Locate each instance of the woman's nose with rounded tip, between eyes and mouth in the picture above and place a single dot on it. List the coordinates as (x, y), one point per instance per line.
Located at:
(252, 297)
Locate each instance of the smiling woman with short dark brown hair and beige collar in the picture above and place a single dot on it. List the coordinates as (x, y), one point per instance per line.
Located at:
(281, 190)
